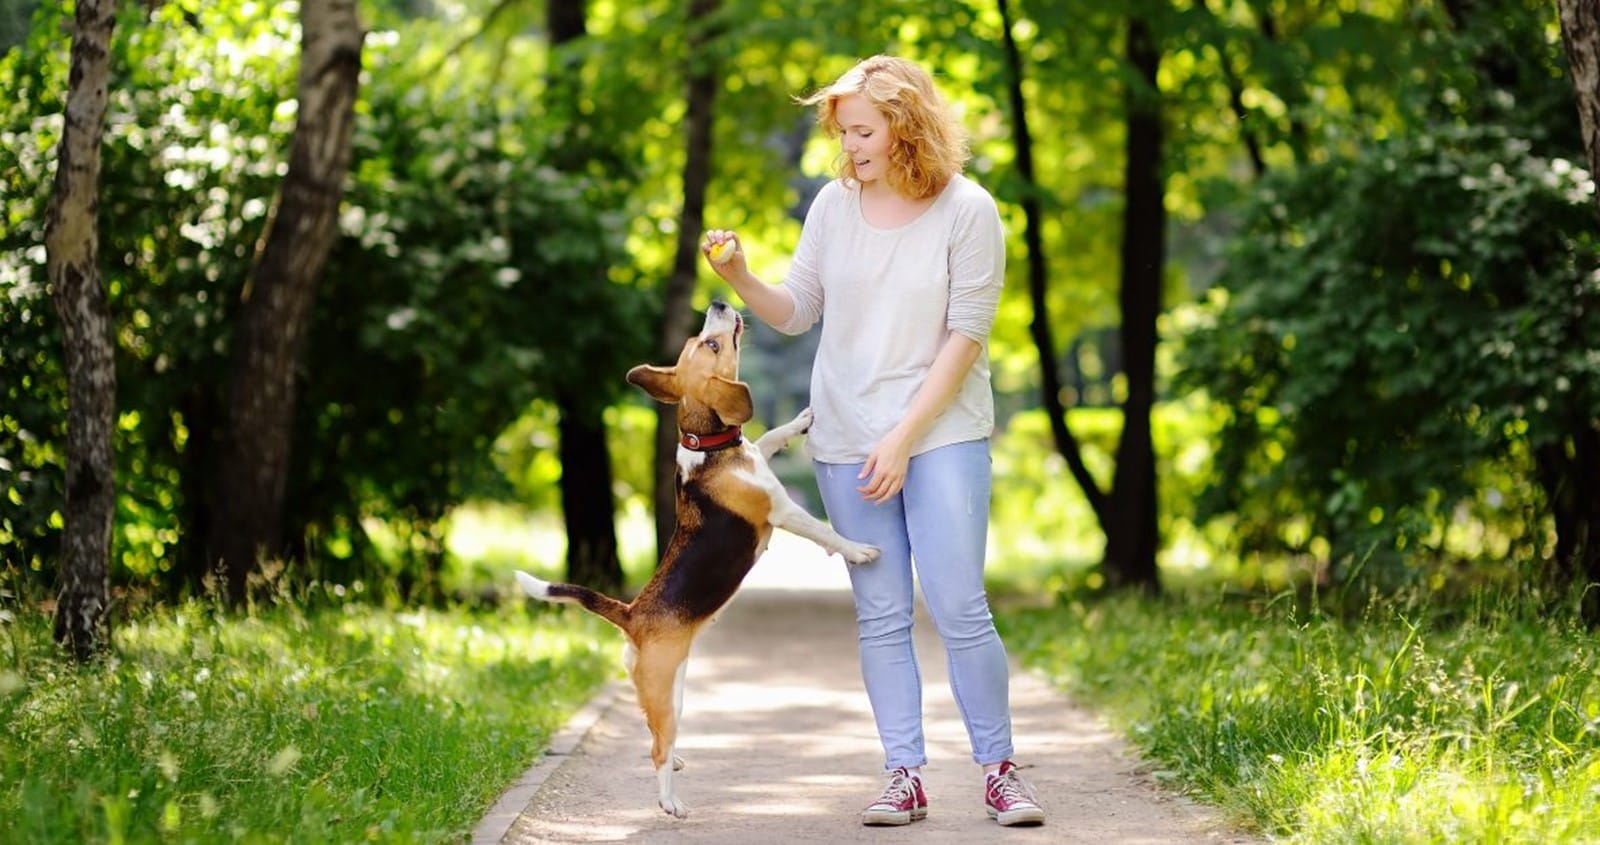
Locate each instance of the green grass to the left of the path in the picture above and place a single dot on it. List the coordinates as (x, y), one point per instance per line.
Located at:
(346, 724)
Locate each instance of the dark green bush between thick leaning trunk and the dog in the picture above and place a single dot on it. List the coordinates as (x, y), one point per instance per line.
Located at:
(474, 271)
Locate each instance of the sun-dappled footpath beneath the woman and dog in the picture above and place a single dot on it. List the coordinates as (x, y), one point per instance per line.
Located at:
(780, 747)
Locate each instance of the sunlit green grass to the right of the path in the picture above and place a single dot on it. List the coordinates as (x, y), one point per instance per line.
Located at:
(1409, 724)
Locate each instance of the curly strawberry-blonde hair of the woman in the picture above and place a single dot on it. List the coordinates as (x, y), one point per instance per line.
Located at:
(927, 145)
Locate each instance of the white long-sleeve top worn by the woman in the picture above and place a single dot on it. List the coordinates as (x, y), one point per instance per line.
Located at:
(889, 300)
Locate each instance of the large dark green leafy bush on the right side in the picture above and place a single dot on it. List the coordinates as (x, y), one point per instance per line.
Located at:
(1396, 332)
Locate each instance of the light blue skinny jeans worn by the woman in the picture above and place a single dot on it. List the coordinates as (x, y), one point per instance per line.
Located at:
(940, 523)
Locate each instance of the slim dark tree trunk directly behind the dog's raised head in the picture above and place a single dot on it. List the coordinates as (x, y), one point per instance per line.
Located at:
(676, 318)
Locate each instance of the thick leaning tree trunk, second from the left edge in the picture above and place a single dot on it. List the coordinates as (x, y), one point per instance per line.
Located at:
(273, 324)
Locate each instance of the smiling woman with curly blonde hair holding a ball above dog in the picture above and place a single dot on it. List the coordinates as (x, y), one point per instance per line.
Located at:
(902, 260)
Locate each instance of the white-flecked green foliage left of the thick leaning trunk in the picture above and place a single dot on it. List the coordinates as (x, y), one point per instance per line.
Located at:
(188, 174)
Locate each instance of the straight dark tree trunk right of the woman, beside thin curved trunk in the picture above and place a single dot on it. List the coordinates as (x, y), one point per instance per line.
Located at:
(1132, 534)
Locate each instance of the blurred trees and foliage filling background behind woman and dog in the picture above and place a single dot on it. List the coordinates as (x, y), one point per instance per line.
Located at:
(1298, 289)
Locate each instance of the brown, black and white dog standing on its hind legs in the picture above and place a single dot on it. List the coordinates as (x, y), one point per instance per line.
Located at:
(729, 502)
